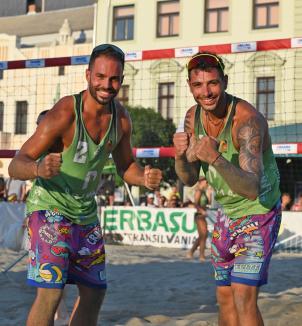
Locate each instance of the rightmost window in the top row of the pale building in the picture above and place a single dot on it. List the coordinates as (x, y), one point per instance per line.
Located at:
(266, 13)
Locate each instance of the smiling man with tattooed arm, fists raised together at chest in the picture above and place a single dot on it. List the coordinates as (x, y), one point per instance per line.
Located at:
(227, 140)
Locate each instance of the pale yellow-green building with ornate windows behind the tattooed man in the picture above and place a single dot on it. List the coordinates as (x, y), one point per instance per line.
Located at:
(234, 28)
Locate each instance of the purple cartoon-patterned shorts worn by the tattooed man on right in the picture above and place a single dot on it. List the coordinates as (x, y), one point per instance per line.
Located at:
(242, 248)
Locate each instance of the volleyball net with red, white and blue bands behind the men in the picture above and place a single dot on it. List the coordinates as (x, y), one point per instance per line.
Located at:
(267, 74)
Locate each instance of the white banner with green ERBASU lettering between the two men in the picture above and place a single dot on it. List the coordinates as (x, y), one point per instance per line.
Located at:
(159, 227)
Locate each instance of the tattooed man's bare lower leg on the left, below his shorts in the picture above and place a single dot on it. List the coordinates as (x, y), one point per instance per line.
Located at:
(227, 309)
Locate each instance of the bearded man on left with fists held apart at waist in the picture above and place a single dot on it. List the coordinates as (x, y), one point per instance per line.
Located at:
(65, 156)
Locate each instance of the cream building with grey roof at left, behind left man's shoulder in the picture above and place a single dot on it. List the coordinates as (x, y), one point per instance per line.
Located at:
(24, 93)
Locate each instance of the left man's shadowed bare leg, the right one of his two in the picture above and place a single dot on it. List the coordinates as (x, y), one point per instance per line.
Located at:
(87, 306)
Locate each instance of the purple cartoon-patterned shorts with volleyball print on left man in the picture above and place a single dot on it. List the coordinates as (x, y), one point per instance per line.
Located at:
(62, 252)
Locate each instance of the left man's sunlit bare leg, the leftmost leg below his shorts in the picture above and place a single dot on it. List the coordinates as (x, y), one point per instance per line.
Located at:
(44, 307)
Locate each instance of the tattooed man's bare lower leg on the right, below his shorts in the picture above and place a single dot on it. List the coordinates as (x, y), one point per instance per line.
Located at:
(245, 298)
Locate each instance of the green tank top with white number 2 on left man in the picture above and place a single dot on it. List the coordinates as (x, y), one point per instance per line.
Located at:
(72, 192)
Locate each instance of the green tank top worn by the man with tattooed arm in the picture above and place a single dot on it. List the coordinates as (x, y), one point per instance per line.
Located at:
(234, 205)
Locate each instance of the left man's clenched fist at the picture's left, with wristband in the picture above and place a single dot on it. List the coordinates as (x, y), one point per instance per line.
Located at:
(49, 166)
